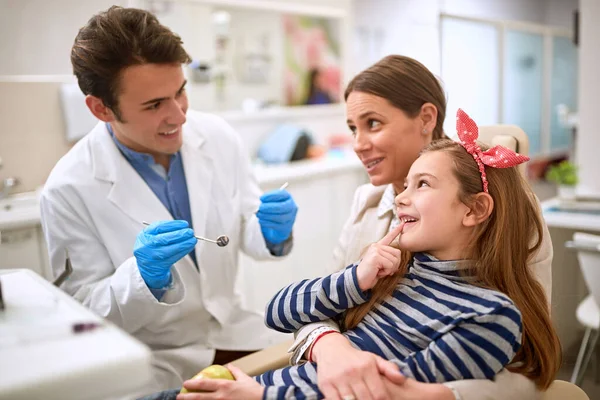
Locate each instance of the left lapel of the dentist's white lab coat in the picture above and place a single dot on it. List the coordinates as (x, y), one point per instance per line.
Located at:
(129, 192)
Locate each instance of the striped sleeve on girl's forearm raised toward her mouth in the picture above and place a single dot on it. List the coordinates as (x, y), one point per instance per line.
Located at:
(314, 300)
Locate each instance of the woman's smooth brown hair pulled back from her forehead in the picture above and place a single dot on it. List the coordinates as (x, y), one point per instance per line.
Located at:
(406, 84)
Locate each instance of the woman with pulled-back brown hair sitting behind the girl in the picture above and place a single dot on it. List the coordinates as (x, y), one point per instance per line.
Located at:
(394, 109)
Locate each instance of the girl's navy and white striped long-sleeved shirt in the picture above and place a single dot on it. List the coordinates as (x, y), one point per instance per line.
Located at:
(436, 326)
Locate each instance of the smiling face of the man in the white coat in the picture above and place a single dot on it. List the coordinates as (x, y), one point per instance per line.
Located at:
(152, 104)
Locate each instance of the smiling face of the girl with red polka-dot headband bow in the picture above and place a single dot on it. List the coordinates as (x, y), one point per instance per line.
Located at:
(432, 210)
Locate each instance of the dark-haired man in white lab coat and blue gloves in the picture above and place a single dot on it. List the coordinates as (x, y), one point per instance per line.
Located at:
(150, 159)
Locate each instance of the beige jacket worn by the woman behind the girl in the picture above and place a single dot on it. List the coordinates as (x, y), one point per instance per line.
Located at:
(365, 227)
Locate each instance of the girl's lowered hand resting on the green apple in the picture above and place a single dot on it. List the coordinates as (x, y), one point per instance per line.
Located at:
(243, 388)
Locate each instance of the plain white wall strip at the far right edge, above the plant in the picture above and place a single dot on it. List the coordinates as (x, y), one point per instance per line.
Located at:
(588, 135)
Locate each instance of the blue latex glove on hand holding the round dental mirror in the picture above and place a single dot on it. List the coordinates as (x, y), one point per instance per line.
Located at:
(158, 247)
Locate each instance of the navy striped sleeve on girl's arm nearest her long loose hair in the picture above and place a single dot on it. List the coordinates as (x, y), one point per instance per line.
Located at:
(477, 348)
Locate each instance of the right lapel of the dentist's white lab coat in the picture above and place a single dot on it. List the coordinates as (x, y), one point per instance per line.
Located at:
(198, 165)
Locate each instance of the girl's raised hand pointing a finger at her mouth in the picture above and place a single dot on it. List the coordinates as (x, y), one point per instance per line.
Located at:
(380, 260)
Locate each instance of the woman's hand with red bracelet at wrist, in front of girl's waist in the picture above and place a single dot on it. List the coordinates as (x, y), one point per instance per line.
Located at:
(361, 374)
